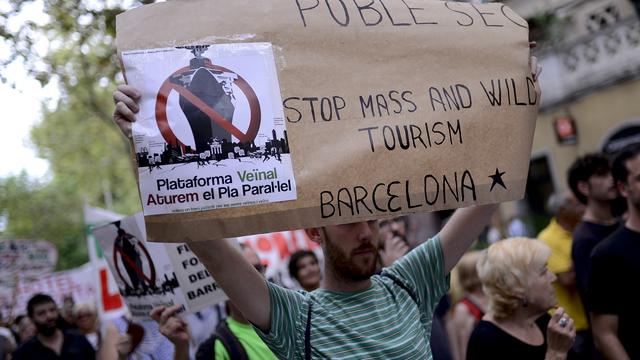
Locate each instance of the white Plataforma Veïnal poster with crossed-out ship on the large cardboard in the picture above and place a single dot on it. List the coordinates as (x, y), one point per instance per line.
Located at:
(210, 133)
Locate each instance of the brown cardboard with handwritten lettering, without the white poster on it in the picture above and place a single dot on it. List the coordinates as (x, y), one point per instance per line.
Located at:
(391, 107)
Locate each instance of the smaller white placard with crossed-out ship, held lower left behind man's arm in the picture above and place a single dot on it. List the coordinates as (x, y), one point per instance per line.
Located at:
(151, 274)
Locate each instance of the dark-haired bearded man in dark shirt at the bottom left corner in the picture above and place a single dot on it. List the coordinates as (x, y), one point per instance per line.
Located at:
(50, 341)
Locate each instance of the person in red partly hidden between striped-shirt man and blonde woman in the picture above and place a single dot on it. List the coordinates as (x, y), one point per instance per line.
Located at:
(468, 312)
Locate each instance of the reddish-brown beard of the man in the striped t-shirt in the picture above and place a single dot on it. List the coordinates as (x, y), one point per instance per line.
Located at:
(344, 265)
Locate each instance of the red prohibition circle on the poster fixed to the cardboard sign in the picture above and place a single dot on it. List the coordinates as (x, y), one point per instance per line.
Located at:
(240, 82)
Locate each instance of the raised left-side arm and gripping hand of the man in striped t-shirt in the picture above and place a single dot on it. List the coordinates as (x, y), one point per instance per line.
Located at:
(246, 288)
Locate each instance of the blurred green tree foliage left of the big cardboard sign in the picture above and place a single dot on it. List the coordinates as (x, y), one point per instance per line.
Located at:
(89, 159)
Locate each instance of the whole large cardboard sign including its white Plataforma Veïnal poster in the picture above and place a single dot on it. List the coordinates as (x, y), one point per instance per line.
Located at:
(390, 107)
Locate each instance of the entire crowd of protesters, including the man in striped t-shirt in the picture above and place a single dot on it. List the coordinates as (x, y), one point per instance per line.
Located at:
(380, 293)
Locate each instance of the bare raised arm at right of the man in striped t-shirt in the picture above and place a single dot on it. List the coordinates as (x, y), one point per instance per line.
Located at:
(462, 230)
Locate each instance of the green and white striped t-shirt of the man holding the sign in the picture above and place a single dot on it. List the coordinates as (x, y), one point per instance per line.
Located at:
(381, 322)
